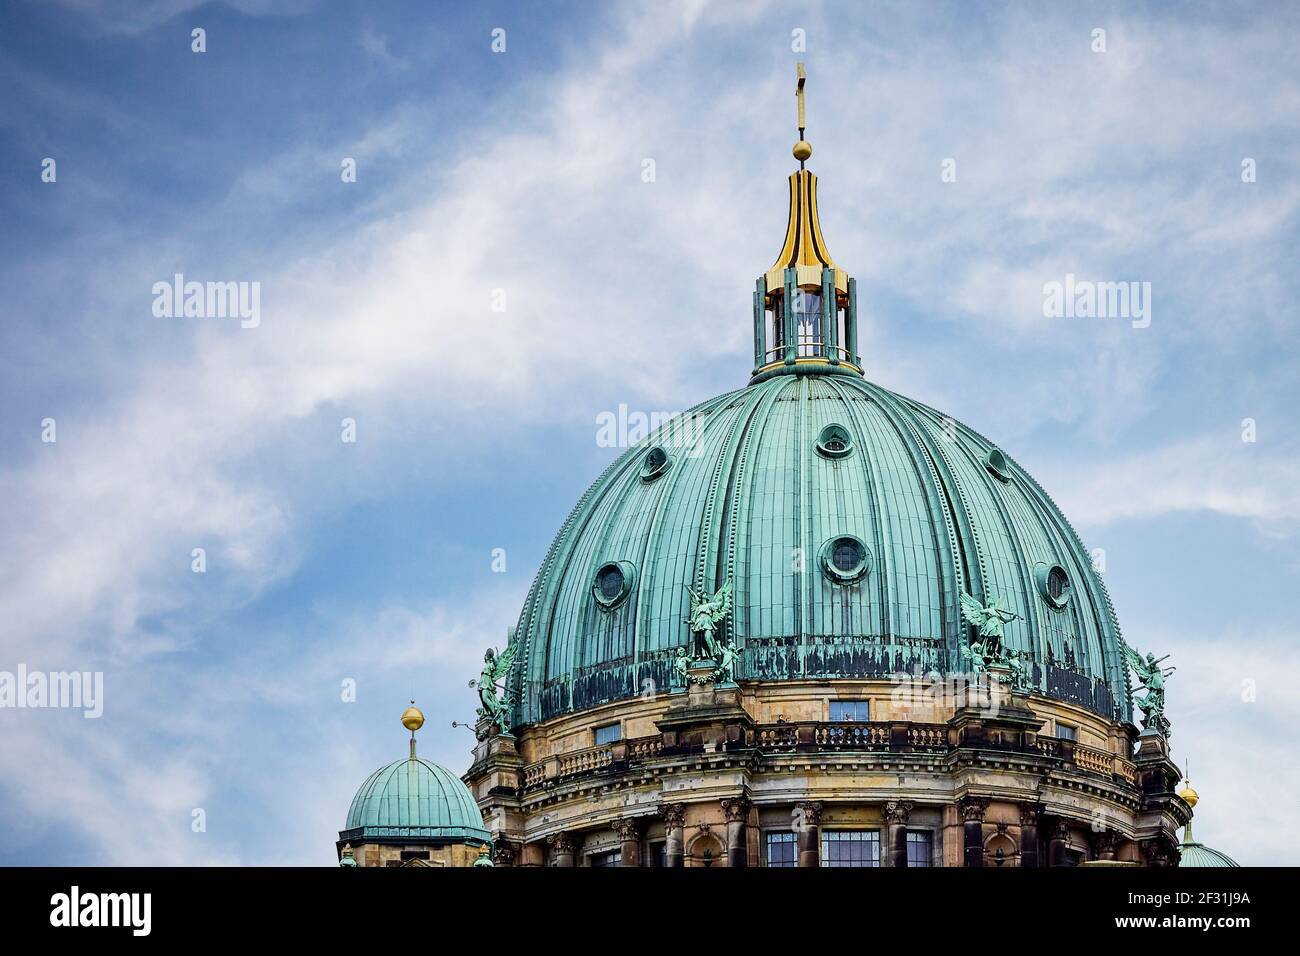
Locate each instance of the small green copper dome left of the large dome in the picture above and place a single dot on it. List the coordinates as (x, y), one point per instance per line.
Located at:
(414, 801)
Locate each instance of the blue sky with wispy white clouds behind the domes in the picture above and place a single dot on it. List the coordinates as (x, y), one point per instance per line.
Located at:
(502, 272)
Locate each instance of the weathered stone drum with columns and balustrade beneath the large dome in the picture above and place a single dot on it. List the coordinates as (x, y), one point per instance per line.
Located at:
(760, 776)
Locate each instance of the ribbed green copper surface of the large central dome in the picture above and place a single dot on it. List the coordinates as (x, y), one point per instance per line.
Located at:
(751, 499)
